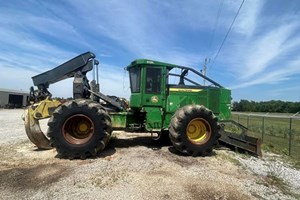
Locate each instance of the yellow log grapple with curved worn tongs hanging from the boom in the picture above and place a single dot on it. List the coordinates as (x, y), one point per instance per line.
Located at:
(31, 117)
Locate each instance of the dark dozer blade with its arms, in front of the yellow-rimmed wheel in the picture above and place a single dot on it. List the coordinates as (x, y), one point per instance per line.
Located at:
(240, 141)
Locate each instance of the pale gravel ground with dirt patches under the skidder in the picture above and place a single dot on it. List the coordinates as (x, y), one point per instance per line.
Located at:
(134, 167)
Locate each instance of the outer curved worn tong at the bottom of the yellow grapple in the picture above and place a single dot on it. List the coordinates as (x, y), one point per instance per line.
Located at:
(34, 132)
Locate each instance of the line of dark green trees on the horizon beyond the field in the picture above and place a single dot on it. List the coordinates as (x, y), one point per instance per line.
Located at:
(266, 106)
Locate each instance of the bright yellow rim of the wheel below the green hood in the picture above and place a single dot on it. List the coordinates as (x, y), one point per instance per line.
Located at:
(198, 131)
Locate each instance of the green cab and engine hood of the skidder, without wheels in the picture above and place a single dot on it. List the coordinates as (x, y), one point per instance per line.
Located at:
(153, 95)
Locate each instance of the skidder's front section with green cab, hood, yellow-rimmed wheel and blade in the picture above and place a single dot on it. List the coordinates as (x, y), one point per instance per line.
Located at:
(182, 104)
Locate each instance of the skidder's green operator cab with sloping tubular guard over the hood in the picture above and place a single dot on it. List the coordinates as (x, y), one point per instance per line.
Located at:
(150, 84)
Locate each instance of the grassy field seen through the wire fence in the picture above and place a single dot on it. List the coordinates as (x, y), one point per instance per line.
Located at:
(279, 132)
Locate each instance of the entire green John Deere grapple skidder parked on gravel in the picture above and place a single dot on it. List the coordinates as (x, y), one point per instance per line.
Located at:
(169, 100)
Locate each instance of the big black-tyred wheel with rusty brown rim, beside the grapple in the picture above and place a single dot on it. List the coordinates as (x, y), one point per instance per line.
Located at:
(79, 129)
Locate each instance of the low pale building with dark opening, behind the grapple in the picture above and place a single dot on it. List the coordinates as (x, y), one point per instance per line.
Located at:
(13, 98)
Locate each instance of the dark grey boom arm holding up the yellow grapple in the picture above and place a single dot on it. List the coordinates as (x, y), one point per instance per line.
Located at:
(76, 67)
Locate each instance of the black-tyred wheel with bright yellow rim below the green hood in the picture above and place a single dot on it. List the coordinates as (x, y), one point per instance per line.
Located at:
(194, 130)
